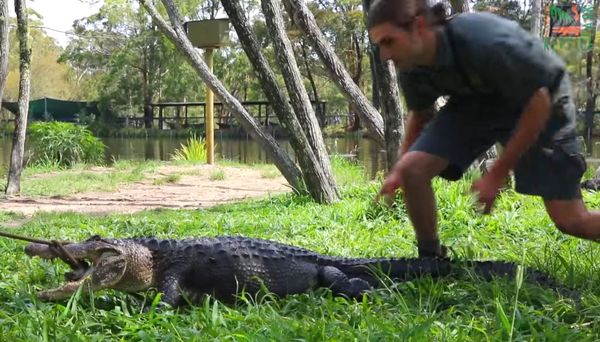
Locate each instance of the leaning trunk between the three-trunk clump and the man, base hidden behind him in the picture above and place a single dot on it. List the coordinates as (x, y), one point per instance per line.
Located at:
(306, 22)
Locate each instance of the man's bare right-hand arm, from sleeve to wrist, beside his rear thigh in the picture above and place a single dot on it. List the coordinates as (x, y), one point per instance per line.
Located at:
(531, 123)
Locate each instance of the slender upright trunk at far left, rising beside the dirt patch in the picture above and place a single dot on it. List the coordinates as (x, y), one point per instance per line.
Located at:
(18, 149)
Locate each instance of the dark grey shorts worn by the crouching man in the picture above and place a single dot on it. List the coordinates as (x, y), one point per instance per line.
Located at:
(463, 130)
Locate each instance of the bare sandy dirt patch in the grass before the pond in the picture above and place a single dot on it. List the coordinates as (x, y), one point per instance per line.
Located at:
(172, 187)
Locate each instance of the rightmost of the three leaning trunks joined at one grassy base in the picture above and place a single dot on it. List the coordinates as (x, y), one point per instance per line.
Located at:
(320, 175)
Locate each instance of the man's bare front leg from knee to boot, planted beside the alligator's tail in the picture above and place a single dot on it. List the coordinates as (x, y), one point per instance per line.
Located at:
(417, 169)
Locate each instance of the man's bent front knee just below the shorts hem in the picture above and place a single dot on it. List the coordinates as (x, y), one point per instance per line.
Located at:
(419, 167)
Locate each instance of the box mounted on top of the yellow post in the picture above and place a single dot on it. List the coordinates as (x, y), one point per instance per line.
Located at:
(209, 33)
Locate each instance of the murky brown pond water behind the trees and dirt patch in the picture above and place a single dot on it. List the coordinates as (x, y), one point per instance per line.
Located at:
(245, 151)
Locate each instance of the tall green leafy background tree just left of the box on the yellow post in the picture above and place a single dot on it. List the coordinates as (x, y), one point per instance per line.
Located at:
(135, 63)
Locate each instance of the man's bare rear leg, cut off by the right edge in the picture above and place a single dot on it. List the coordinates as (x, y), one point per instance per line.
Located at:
(573, 218)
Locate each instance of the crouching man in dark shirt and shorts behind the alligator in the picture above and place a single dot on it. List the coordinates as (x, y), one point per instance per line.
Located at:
(503, 87)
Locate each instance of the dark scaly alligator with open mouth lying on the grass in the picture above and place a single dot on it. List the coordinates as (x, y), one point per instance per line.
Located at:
(186, 270)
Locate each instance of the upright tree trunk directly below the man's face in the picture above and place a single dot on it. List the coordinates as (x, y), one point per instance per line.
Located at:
(388, 97)
